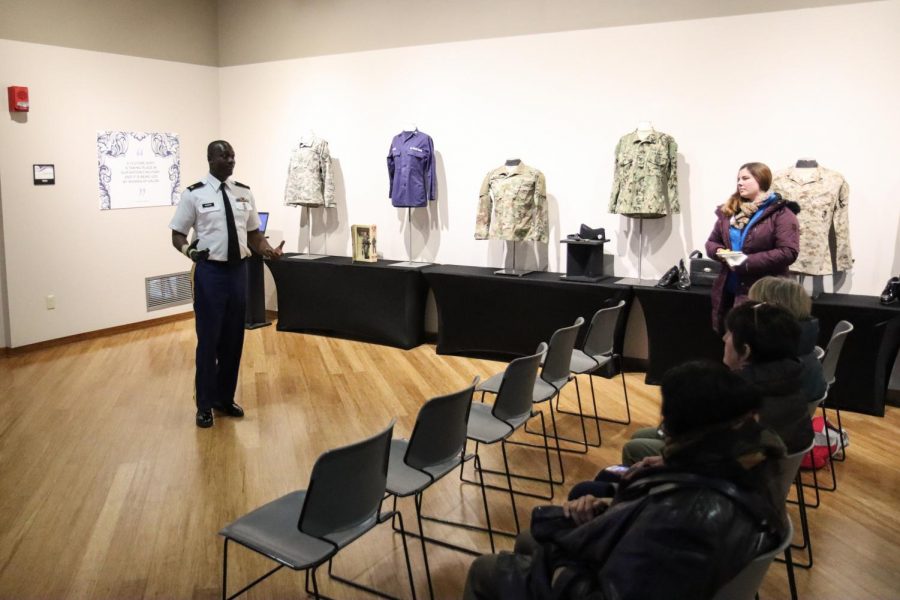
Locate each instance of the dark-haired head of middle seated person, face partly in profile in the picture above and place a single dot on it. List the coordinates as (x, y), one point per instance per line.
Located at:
(758, 333)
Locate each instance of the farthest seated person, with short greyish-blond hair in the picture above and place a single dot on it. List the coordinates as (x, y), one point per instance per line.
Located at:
(790, 295)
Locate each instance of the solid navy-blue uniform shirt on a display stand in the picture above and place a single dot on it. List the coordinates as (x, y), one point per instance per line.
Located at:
(411, 169)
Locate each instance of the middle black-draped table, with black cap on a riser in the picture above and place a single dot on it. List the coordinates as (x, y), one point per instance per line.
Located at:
(483, 313)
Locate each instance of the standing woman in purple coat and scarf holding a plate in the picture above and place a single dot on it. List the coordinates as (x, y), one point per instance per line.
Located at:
(761, 225)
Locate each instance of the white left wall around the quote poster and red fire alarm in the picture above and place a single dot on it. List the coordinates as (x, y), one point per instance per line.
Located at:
(56, 240)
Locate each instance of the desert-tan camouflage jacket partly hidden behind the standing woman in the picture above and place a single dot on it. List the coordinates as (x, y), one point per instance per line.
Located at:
(823, 196)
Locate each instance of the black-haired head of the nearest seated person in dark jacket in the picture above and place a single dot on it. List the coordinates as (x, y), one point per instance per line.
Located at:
(702, 394)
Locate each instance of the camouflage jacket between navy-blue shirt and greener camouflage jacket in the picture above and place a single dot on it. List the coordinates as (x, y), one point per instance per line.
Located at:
(512, 205)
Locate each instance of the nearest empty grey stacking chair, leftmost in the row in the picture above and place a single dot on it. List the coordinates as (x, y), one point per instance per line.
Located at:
(307, 528)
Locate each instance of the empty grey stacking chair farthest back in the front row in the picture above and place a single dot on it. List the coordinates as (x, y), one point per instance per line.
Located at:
(594, 355)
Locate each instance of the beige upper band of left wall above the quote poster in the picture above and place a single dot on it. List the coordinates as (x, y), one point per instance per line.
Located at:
(178, 30)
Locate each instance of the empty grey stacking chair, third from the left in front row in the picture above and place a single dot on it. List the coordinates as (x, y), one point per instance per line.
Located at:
(511, 410)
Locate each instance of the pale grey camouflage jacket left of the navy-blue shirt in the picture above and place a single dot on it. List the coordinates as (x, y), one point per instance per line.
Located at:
(309, 181)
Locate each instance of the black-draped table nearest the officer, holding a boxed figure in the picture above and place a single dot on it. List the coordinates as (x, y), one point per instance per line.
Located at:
(366, 301)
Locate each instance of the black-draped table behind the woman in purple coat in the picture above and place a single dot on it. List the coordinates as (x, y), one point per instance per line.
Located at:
(679, 328)
